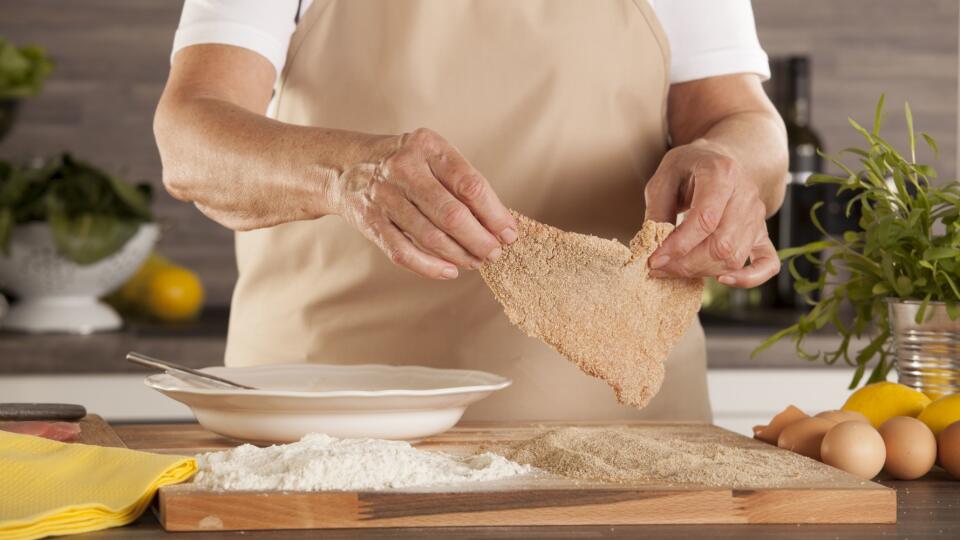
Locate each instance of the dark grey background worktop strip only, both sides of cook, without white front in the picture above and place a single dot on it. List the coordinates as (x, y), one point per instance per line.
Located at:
(202, 343)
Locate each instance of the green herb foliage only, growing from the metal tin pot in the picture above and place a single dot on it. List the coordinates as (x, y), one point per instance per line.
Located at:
(907, 246)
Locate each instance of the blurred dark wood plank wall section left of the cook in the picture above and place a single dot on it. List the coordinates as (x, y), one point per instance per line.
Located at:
(112, 61)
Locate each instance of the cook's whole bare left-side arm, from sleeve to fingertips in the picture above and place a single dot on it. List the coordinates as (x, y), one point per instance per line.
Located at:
(413, 195)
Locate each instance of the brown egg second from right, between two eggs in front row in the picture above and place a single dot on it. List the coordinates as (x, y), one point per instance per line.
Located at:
(911, 447)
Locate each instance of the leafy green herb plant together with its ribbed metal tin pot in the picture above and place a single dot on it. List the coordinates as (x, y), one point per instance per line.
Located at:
(893, 281)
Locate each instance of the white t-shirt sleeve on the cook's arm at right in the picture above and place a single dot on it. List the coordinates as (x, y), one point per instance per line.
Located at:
(709, 38)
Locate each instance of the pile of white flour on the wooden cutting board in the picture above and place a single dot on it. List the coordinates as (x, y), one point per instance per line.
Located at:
(319, 462)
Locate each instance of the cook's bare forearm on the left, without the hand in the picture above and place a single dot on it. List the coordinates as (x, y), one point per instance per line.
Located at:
(247, 171)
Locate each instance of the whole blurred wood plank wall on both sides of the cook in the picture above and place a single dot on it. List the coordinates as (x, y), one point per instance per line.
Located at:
(113, 58)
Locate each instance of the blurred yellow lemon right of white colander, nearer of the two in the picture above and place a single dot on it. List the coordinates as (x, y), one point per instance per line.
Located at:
(173, 293)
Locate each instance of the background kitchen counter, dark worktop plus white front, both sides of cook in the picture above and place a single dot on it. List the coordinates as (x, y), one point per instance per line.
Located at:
(91, 370)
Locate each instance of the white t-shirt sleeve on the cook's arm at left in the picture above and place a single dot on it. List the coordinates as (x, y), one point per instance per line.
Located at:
(262, 26)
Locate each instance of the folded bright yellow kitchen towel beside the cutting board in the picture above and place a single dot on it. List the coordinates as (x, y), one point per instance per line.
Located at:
(50, 488)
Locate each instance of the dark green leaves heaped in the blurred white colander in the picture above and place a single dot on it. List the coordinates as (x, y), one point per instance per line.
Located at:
(91, 213)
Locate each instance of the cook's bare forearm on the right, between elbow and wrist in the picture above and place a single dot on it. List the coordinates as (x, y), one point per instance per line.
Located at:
(756, 140)
